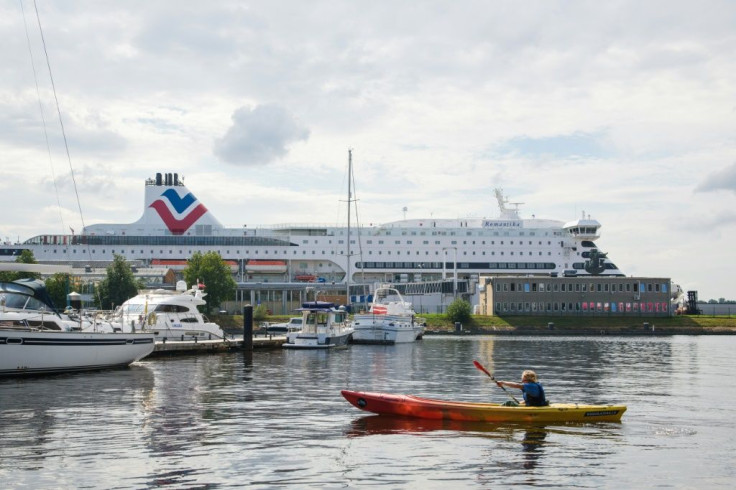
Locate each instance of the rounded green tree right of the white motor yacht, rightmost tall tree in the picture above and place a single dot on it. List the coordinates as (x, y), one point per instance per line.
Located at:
(211, 270)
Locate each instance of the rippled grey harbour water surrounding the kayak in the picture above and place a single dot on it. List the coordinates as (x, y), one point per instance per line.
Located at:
(278, 419)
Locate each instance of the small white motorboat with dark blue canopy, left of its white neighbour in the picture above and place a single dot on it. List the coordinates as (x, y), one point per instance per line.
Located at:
(323, 326)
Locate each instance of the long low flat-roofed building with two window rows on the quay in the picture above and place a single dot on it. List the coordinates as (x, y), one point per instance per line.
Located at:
(575, 296)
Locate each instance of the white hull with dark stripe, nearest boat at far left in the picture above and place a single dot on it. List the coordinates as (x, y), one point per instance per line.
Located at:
(31, 352)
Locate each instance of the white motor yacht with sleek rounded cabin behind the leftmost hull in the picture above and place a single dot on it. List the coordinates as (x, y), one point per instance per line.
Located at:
(170, 315)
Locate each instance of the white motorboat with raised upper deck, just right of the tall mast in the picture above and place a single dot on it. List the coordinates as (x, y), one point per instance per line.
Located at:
(390, 320)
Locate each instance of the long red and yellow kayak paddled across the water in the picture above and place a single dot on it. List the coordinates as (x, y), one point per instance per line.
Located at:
(426, 408)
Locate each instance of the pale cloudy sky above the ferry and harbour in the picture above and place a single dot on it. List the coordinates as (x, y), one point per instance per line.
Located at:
(622, 110)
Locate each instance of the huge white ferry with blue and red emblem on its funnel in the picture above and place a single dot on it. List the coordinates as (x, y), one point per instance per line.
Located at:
(175, 225)
